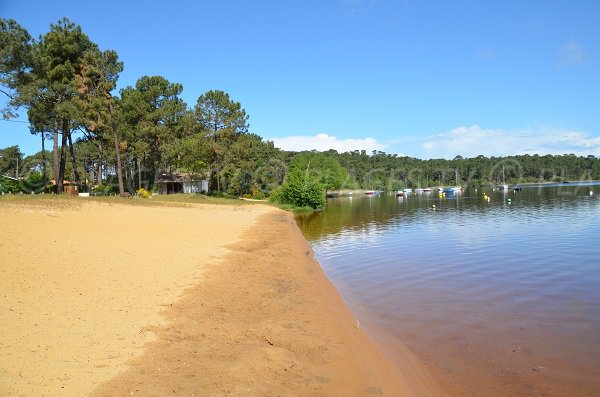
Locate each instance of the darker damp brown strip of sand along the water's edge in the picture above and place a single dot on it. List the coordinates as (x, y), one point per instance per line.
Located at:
(303, 340)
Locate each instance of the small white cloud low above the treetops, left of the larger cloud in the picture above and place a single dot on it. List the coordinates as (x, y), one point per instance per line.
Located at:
(323, 142)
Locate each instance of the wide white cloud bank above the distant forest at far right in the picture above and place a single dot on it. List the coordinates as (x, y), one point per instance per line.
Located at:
(474, 140)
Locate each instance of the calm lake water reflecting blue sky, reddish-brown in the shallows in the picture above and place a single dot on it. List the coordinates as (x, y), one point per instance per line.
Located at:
(498, 298)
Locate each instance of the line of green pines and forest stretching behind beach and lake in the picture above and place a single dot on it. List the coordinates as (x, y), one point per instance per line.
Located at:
(126, 141)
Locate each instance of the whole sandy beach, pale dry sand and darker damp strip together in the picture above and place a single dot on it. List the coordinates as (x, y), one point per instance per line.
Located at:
(112, 299)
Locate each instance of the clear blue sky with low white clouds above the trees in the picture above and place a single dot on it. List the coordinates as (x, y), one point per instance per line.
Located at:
(422, 78)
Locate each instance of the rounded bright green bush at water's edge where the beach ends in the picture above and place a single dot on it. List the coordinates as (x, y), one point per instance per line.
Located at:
(301, 189)
